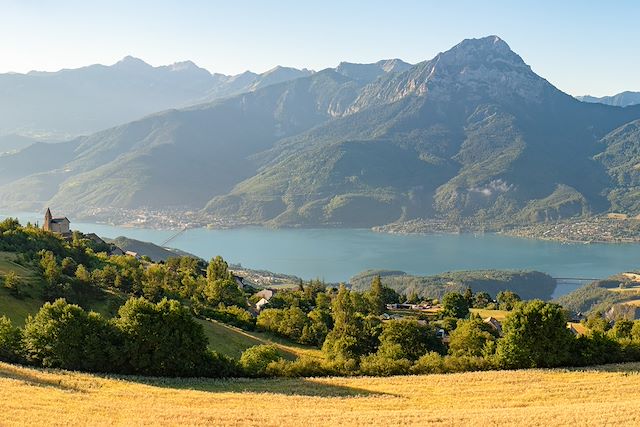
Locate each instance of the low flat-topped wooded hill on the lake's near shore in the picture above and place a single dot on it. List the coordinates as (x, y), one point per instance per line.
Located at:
(527, 284)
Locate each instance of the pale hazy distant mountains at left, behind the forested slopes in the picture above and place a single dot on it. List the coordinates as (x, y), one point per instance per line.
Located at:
(89, 99)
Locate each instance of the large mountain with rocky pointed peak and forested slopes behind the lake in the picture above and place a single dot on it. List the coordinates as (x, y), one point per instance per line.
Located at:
(473, 132)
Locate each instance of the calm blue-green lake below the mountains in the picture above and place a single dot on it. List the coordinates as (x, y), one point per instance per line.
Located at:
(337, 254)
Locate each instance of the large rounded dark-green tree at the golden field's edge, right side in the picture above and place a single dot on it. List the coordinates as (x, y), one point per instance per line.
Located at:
(535, 335)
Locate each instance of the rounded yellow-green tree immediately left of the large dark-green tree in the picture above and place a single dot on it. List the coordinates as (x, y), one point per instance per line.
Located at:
(472, 337)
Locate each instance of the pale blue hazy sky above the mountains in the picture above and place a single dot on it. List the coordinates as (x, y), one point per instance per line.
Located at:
(580, 46)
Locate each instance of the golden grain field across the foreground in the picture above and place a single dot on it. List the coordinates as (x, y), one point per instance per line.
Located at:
(598, 396)
